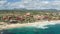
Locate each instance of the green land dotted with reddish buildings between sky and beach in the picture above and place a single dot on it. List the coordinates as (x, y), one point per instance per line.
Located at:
(33, 15)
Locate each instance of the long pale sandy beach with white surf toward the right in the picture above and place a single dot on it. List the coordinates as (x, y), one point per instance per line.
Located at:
(35, 24)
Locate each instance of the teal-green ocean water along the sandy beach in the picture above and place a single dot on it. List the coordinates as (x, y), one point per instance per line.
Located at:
(52, 29)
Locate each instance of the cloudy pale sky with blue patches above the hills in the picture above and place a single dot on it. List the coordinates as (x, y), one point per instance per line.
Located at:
(29, 4)
